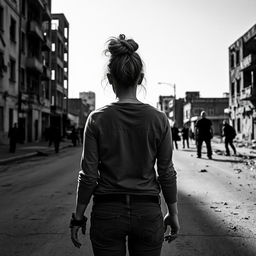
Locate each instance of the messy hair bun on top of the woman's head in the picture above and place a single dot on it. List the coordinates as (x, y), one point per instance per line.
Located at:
(121, 46)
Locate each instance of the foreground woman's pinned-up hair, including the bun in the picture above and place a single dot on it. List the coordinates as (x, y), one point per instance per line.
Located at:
(125, 64)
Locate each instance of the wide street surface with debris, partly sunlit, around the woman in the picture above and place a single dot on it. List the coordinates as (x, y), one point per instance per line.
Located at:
(216, 206)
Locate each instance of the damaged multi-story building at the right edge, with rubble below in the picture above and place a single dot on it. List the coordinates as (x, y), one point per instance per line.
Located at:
(242, 85)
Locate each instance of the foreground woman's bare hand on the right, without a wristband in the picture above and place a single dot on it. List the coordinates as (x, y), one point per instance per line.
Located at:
(173, 222)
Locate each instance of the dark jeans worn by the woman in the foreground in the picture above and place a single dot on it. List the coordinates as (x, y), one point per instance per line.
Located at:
(138, 223)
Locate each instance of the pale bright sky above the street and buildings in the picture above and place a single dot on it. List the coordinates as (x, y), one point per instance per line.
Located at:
(182, 42)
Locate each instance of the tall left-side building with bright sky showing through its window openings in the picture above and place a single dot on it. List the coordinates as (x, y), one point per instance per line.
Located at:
(60, 71)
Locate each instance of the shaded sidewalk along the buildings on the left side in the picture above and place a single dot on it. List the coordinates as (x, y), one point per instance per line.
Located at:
(29, 150)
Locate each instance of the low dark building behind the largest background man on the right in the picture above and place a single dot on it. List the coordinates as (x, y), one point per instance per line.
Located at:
(214, 108)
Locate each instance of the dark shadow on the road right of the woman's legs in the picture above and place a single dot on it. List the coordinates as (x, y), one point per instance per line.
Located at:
(206, 232)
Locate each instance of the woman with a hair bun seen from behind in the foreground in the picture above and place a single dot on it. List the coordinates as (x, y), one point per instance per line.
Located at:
(122, 142)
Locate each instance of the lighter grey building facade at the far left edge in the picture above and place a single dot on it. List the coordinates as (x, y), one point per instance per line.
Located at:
(9, 65)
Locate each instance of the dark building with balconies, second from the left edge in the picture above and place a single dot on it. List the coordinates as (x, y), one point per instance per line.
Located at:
(35, 64)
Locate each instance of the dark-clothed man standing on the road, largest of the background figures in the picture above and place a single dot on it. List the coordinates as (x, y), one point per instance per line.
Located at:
(204, 133)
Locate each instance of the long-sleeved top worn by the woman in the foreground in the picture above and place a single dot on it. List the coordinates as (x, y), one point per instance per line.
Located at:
(122, 143)
